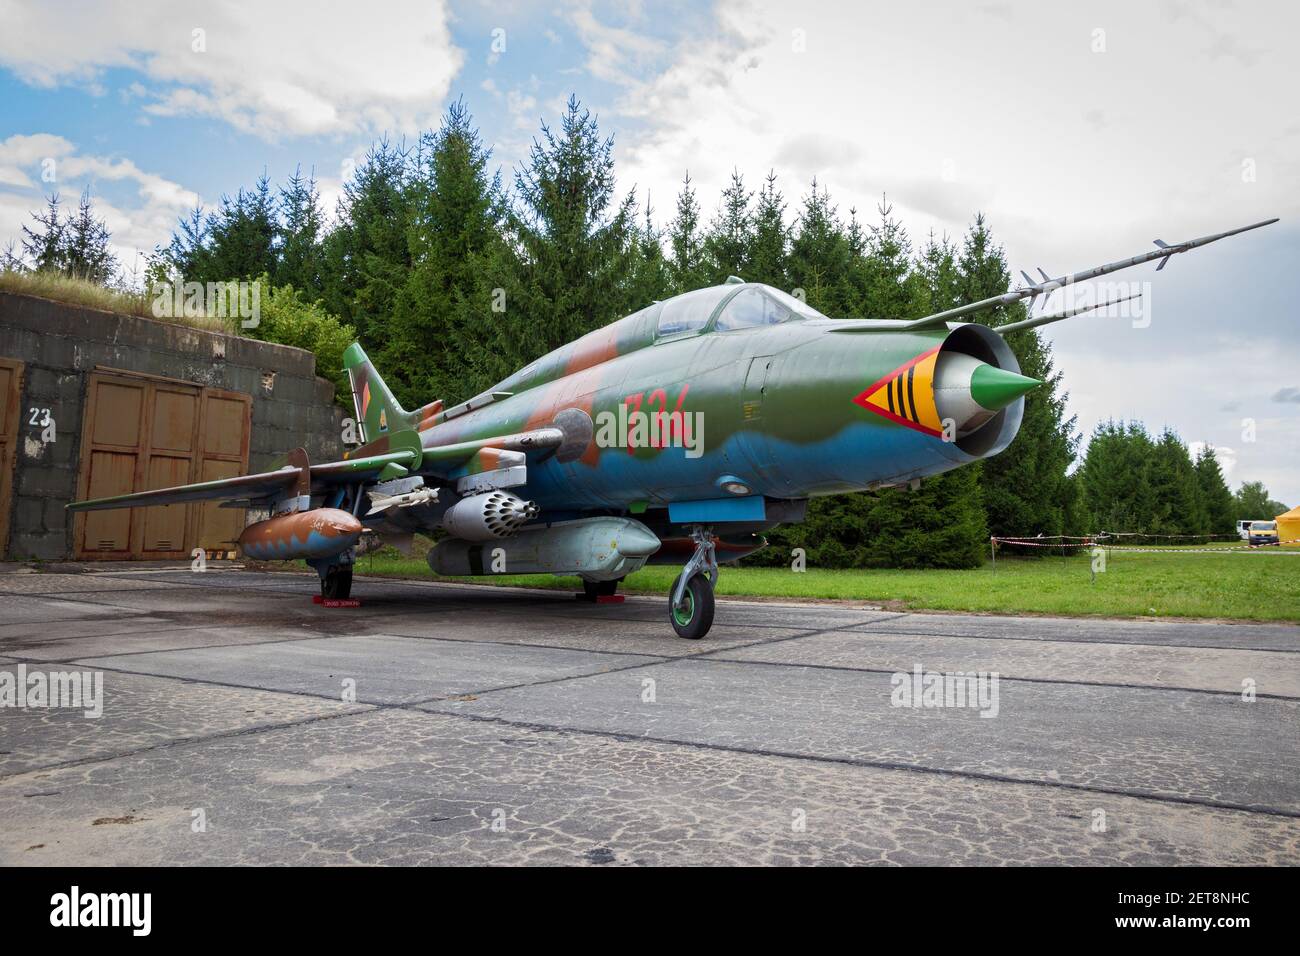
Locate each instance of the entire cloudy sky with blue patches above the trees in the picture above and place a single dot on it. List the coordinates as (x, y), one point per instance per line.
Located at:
(1082, 132)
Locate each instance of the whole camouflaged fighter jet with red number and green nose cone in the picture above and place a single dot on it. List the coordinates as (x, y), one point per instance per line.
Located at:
(675, 435)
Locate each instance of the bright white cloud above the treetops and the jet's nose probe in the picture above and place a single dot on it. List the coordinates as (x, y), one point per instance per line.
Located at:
(877, 98)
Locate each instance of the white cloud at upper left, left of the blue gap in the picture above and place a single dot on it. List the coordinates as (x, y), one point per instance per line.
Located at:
(270, 70)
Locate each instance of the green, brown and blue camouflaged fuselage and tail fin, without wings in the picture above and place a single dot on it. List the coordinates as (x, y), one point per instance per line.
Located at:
(781, 409)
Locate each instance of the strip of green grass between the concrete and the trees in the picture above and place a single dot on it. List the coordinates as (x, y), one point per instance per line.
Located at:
(1243, 586)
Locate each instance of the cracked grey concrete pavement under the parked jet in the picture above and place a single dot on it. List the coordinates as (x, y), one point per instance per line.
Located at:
(447, 724)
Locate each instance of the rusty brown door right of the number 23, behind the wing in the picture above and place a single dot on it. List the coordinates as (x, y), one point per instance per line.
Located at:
(142, 434)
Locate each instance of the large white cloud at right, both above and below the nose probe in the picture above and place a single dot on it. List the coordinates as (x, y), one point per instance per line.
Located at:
(1077, 159)
